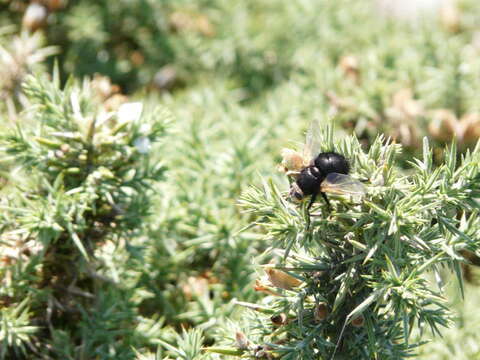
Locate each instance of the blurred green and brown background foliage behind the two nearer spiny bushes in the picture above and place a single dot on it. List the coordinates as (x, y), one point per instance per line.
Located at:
(242, 79)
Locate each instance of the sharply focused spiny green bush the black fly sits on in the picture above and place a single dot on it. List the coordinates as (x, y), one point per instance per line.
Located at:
(365, 262)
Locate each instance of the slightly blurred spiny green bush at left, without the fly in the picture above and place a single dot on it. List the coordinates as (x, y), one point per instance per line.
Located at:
(86, 186)
